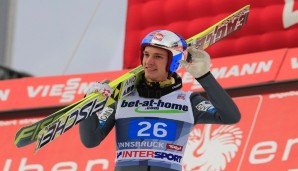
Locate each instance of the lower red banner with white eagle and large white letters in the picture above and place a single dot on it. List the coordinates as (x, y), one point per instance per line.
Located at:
(266, 138)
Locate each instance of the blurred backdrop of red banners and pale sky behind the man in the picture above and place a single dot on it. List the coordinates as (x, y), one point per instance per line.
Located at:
(51, 51)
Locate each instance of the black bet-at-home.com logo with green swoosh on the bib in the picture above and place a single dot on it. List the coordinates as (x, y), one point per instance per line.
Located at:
(152, 106)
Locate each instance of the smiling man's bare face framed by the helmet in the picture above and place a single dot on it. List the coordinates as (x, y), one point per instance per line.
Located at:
(155, 62)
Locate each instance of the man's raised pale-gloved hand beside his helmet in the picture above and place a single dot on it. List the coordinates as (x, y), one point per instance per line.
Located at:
(200, 64)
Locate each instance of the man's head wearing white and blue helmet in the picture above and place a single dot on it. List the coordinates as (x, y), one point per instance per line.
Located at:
(161, 51)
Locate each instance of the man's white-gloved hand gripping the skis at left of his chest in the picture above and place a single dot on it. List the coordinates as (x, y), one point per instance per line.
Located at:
(102, 88)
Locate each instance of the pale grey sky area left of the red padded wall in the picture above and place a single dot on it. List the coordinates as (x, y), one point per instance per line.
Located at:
(43, 38)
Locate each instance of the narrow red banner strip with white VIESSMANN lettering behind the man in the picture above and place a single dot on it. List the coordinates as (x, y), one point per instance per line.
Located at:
(234, 71)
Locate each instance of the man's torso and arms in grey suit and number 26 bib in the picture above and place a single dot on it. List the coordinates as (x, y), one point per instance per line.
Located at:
(152, 133)
